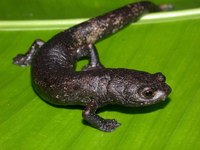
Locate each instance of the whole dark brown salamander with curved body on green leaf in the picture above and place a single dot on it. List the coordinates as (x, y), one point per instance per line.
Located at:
(55, 79)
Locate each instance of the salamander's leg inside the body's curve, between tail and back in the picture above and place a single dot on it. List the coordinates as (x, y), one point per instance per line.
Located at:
(94, 62)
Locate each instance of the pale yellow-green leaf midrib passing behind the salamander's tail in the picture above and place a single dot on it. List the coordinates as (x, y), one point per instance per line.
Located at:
(24, 25)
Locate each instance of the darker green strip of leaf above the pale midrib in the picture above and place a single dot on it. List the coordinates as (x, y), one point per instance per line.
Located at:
(64, 9)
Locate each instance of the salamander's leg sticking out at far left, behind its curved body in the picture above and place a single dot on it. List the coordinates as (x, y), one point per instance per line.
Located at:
(25, 59)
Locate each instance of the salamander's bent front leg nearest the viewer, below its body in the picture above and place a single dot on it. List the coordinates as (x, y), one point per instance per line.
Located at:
(89, 114)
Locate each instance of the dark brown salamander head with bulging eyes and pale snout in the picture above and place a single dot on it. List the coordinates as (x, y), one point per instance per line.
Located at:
(141, 89)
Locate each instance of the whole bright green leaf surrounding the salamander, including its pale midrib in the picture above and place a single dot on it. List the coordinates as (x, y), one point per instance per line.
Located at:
(168, 45)
